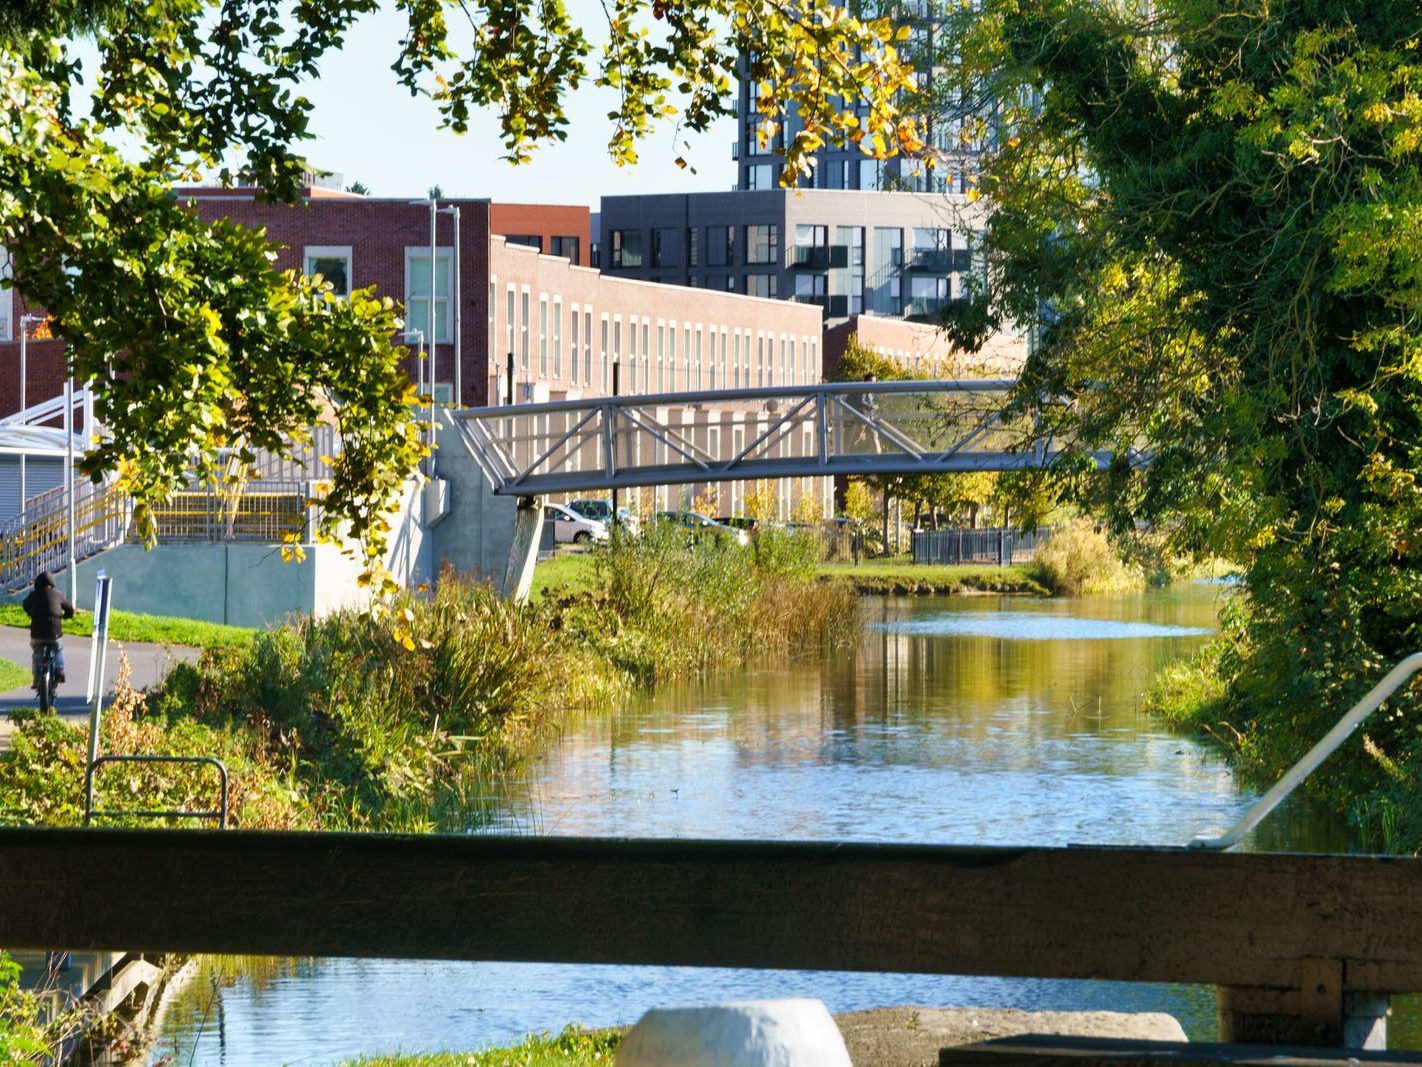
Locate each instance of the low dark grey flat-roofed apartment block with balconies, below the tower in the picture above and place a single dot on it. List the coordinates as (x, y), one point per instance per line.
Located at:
(850, 253)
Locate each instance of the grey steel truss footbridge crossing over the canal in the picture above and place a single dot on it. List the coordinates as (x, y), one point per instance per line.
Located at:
(675, 439)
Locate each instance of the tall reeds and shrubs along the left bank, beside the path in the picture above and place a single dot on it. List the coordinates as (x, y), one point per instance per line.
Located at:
(407, 718)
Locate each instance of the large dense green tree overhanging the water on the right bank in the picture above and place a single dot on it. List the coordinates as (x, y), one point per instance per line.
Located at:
(1212, 216)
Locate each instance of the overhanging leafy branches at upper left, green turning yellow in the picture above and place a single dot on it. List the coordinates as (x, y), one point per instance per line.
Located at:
(194, 342)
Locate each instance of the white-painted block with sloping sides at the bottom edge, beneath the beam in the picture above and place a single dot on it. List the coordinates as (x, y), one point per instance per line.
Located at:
(749, 1034)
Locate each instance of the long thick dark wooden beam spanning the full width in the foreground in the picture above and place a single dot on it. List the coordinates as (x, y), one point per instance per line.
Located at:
(1145, 915)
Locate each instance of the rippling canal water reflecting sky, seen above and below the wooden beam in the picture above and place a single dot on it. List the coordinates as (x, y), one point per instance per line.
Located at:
(956, 721)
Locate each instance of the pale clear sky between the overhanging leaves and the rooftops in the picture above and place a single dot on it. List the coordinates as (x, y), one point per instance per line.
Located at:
(370, 130)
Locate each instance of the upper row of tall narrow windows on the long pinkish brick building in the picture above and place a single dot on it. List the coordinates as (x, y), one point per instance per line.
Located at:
(653, 358)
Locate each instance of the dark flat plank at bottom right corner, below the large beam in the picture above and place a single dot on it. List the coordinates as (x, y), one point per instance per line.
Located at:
(1053, 1051)
